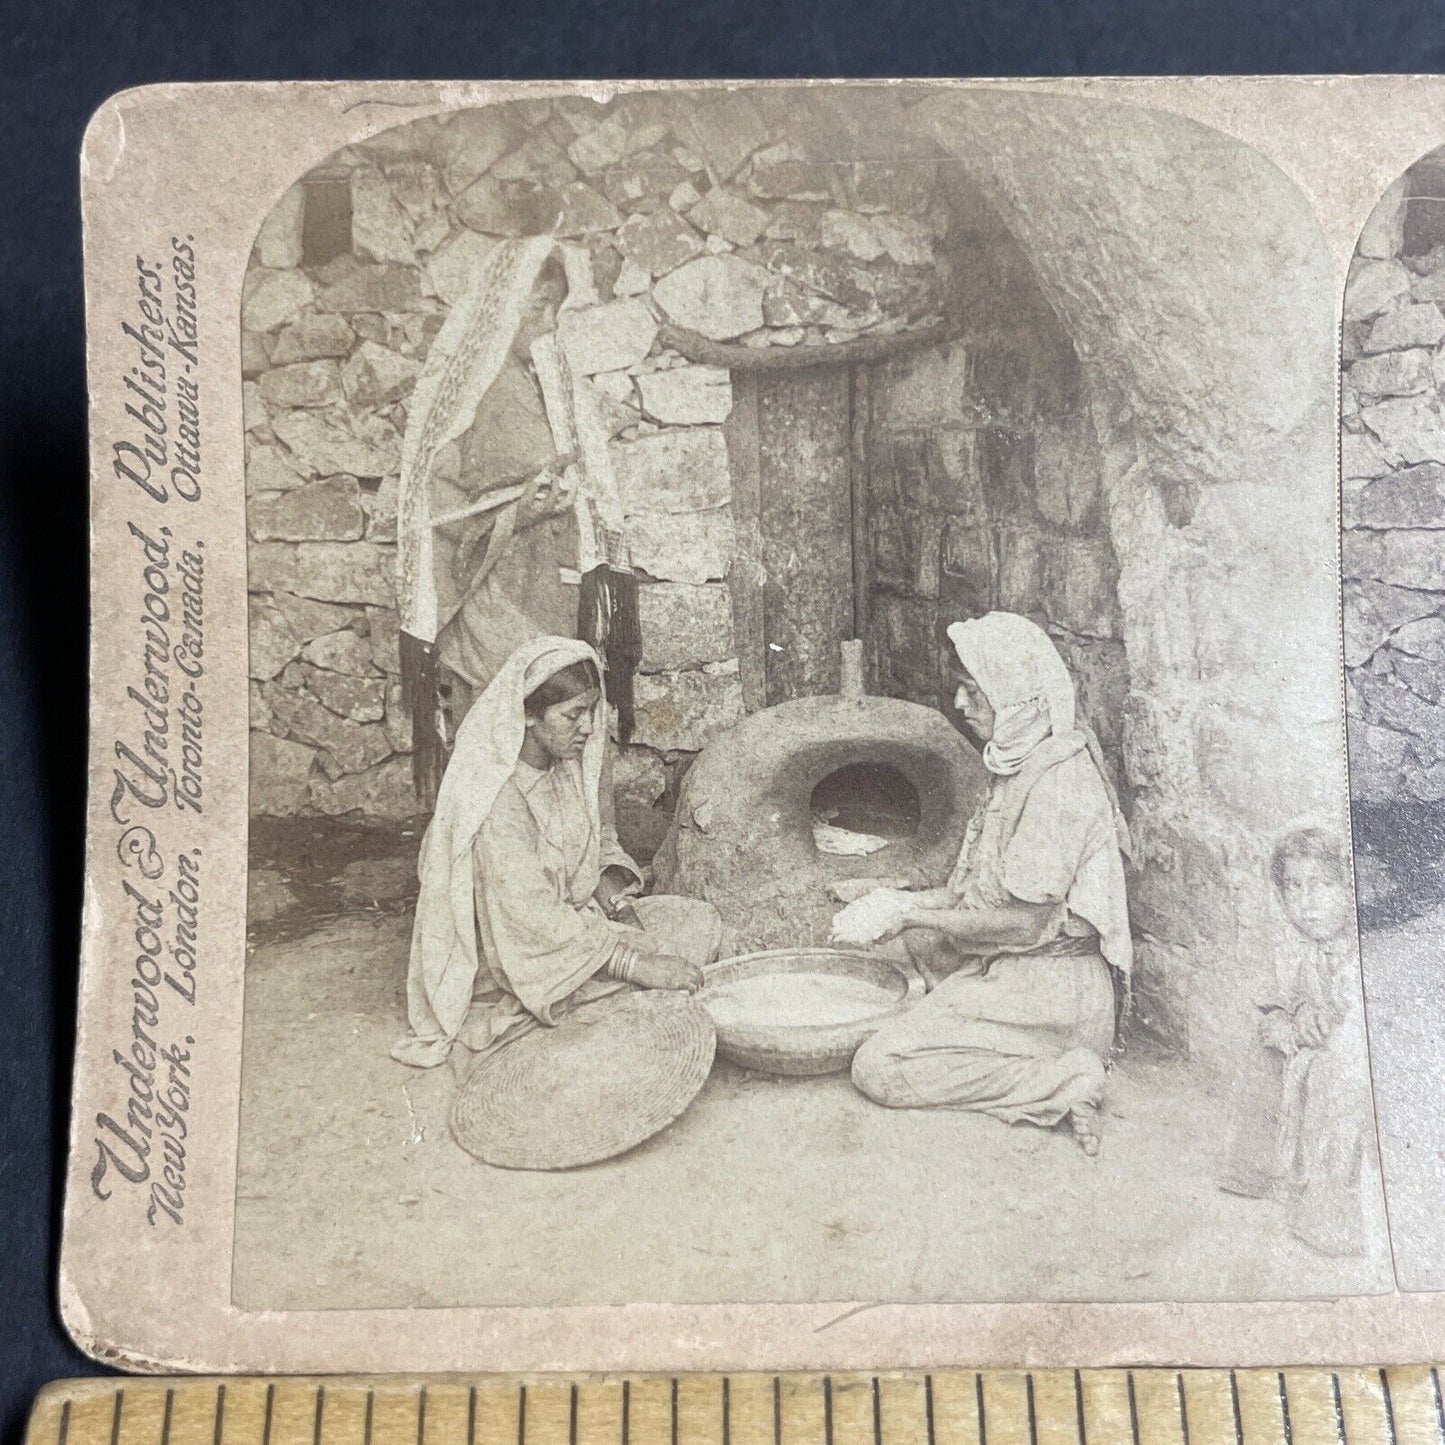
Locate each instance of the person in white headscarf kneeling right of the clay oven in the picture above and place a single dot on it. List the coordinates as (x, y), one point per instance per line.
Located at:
(1031, 931)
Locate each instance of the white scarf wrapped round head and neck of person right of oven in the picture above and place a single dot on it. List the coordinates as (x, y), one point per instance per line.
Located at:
(1022, 676)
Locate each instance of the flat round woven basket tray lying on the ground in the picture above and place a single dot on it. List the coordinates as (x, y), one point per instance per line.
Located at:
(608, 1077)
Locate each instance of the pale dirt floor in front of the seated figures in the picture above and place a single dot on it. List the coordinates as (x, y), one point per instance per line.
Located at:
(352, 1193)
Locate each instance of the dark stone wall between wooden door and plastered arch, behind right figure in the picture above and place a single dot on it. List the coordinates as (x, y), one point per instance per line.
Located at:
(986, 489)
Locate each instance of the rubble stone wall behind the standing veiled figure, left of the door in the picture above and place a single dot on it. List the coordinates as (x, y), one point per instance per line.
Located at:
(729, 217)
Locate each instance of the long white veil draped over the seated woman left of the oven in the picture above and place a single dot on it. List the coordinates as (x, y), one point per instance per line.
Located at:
(489, 743)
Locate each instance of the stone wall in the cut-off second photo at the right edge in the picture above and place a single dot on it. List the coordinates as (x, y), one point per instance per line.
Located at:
(1394, 469)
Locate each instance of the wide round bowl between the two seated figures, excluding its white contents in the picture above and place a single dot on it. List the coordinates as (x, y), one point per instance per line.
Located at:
(821, 1048)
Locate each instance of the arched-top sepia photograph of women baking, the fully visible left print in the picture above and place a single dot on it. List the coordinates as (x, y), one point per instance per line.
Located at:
(797, 720)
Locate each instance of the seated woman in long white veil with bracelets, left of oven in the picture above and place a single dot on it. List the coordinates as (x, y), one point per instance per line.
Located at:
(528, 904)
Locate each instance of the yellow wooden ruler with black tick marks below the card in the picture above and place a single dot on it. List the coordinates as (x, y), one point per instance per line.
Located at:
(1308, 1407)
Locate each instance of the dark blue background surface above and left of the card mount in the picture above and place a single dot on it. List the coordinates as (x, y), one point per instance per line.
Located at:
(63, 60)
